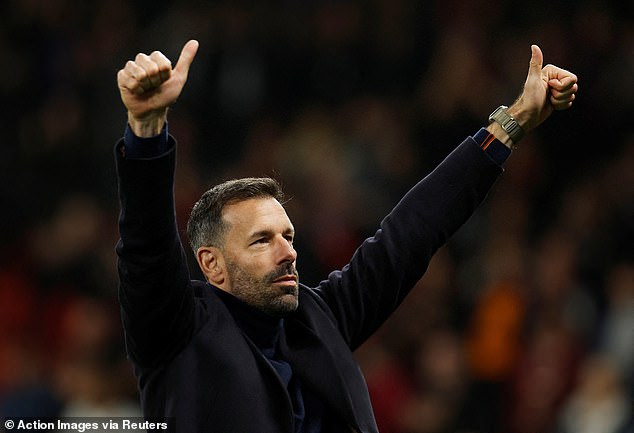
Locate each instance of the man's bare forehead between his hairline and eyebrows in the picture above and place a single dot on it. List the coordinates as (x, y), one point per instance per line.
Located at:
(256, 214)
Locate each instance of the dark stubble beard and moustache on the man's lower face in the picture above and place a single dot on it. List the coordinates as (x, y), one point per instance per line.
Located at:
(262, 293)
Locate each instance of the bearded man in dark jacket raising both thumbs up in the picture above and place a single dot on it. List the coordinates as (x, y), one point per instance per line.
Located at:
(251, 350)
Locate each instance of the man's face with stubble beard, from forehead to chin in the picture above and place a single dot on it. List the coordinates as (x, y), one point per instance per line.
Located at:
(259, 255)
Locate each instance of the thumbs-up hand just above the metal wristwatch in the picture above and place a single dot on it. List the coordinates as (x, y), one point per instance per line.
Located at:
(547, 88)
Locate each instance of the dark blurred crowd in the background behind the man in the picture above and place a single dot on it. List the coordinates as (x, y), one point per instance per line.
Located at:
(524, 321)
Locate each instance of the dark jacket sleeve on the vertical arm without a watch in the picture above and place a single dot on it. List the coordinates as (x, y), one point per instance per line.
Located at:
(155, 291)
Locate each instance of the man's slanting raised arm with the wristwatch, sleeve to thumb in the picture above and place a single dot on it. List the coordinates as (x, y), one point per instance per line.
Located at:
(385, 267)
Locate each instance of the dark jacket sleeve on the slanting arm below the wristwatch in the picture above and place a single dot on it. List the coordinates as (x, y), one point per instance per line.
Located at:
(386, 266)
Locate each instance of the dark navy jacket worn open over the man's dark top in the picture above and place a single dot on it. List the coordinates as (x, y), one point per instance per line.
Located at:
(194, 364)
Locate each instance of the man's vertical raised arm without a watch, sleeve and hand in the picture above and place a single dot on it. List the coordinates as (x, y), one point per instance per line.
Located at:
(156, 296)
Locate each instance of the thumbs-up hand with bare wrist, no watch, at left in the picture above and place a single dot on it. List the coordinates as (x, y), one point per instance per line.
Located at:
(148, 86)
